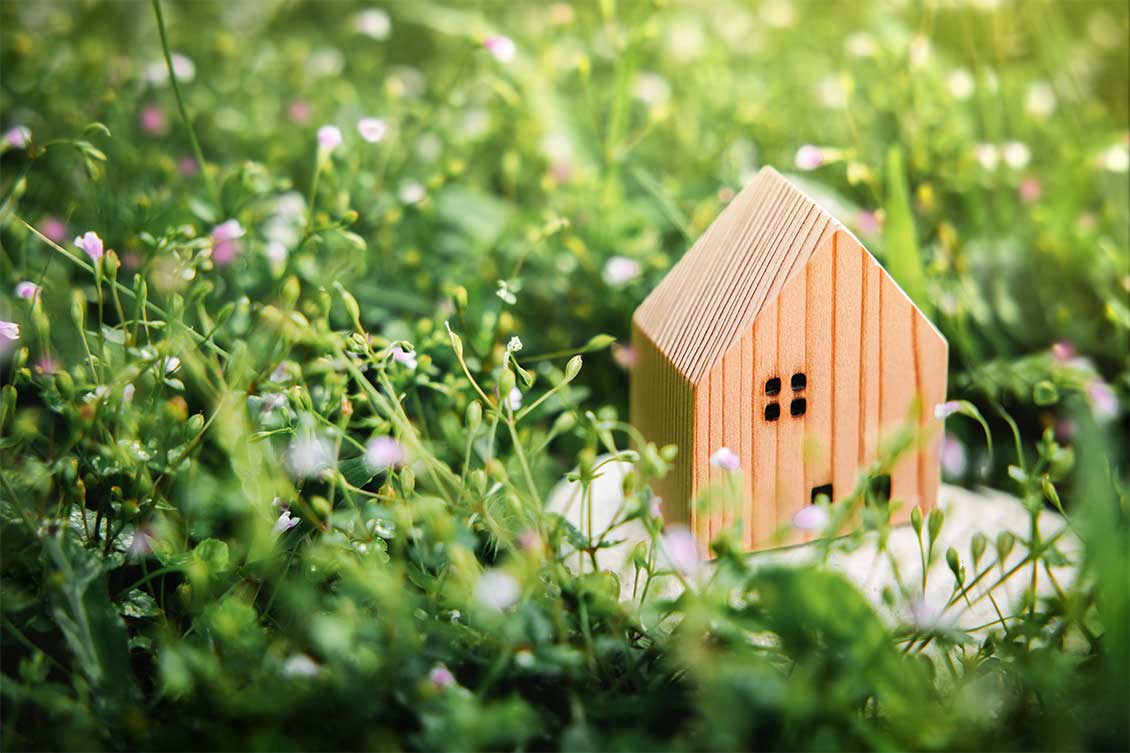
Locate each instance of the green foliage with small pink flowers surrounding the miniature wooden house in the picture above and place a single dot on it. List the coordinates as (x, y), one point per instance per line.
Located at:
(274, 470)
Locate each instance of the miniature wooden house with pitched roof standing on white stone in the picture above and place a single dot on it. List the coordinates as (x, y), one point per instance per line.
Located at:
(780, 337)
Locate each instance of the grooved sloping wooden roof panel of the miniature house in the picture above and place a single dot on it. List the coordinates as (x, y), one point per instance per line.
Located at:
(716, 292)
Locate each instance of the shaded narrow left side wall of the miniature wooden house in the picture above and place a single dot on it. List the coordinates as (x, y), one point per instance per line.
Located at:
(663, 410)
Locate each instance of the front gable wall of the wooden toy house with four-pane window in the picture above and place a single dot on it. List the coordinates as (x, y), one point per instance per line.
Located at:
(872, 362)
